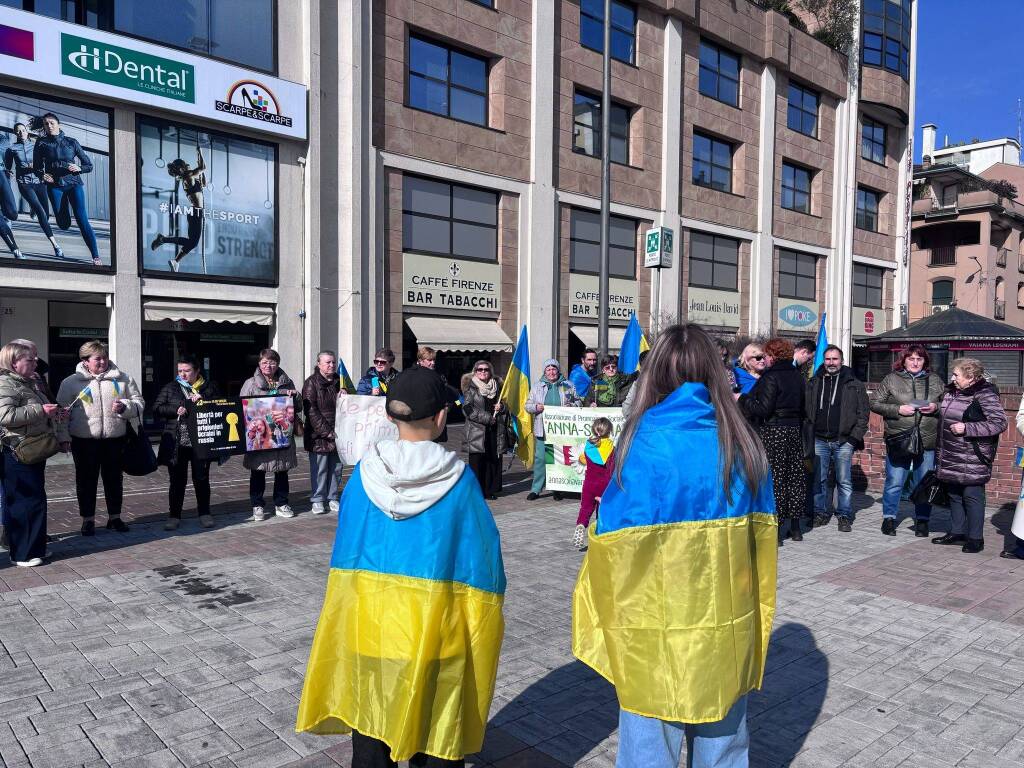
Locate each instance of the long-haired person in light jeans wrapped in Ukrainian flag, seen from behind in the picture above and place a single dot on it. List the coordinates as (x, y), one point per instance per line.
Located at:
(675, 600)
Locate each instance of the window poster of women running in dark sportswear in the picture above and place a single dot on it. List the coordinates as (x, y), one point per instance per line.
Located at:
(56, 201)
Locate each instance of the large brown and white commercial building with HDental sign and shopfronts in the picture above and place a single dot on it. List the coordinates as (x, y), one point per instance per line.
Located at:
(420, 173)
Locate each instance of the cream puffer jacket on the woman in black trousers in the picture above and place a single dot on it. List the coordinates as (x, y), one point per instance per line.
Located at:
(94, 417)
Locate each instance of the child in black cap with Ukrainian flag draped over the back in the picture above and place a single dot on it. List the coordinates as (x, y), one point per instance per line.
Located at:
(406, 652)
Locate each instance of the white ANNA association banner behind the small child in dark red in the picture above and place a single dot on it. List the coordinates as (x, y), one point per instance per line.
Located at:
(566, 431)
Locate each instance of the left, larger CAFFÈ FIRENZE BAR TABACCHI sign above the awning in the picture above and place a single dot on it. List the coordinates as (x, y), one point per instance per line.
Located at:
(451, 284)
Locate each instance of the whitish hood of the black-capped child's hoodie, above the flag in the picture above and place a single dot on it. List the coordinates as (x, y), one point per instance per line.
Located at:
(404, 479)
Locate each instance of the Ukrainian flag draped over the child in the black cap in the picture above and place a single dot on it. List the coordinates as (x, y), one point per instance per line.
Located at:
(407, 647)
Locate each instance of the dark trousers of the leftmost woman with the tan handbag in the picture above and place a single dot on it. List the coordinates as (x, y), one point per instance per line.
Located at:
(24, 507)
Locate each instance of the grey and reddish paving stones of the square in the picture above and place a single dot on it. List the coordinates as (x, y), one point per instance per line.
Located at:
(189, 649)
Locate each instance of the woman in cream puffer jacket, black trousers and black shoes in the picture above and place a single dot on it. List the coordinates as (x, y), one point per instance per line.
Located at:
(100, 401)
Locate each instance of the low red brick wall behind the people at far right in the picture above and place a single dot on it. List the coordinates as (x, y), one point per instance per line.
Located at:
(870, 464)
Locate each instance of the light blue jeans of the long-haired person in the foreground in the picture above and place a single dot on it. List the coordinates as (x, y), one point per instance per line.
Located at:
(647, 743)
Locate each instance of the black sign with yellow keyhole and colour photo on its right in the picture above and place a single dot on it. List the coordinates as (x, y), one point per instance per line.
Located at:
(234, 425)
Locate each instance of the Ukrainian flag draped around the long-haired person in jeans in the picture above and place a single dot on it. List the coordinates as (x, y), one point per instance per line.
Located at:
(675, 600)
